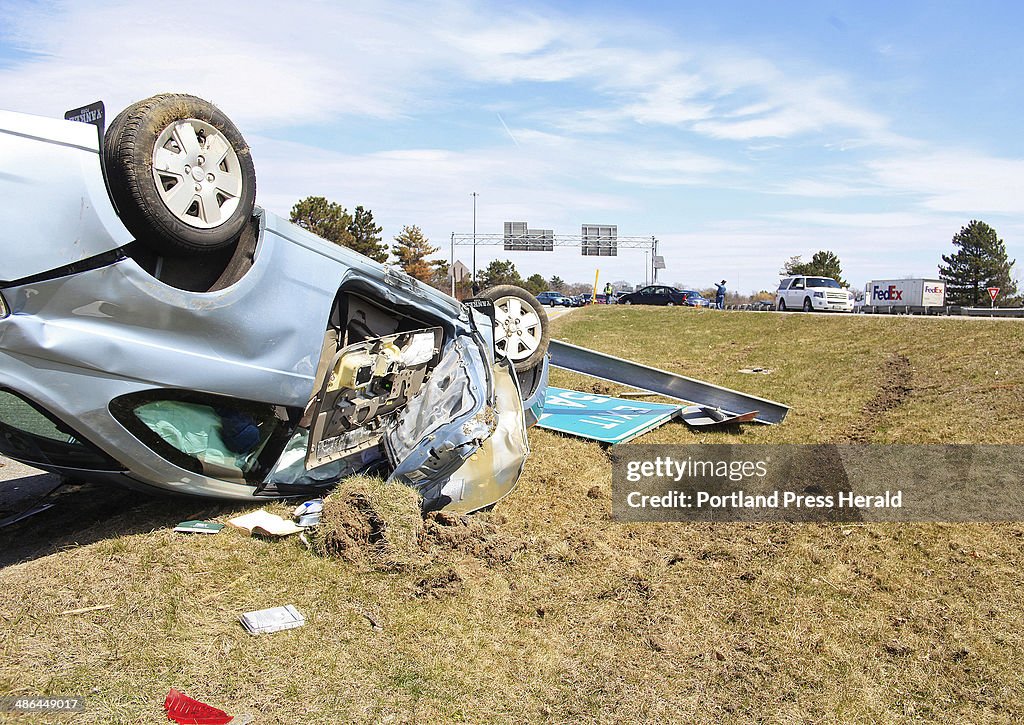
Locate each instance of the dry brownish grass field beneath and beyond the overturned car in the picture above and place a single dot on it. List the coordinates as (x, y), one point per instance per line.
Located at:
(545, 610)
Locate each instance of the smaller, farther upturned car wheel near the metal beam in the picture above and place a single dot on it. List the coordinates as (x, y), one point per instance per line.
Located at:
(521, 326)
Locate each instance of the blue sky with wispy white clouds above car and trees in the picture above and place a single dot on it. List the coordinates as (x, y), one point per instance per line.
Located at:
(739, 135)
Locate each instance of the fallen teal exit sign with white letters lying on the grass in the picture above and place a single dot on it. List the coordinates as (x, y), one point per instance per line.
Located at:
(610, 420)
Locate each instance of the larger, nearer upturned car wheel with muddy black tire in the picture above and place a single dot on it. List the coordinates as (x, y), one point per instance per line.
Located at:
(180, 174)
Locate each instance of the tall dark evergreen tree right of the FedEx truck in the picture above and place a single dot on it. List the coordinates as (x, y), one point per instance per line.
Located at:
(980, 262)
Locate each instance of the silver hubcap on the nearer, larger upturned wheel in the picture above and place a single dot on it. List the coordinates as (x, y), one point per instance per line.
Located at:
(197, 174)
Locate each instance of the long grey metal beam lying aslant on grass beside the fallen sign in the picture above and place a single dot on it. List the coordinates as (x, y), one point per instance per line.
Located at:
(617, 370)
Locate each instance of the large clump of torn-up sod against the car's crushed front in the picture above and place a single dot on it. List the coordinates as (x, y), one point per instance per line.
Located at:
(369, 522)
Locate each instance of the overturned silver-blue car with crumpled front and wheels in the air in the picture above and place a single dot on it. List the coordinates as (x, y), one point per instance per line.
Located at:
(159, 329)
